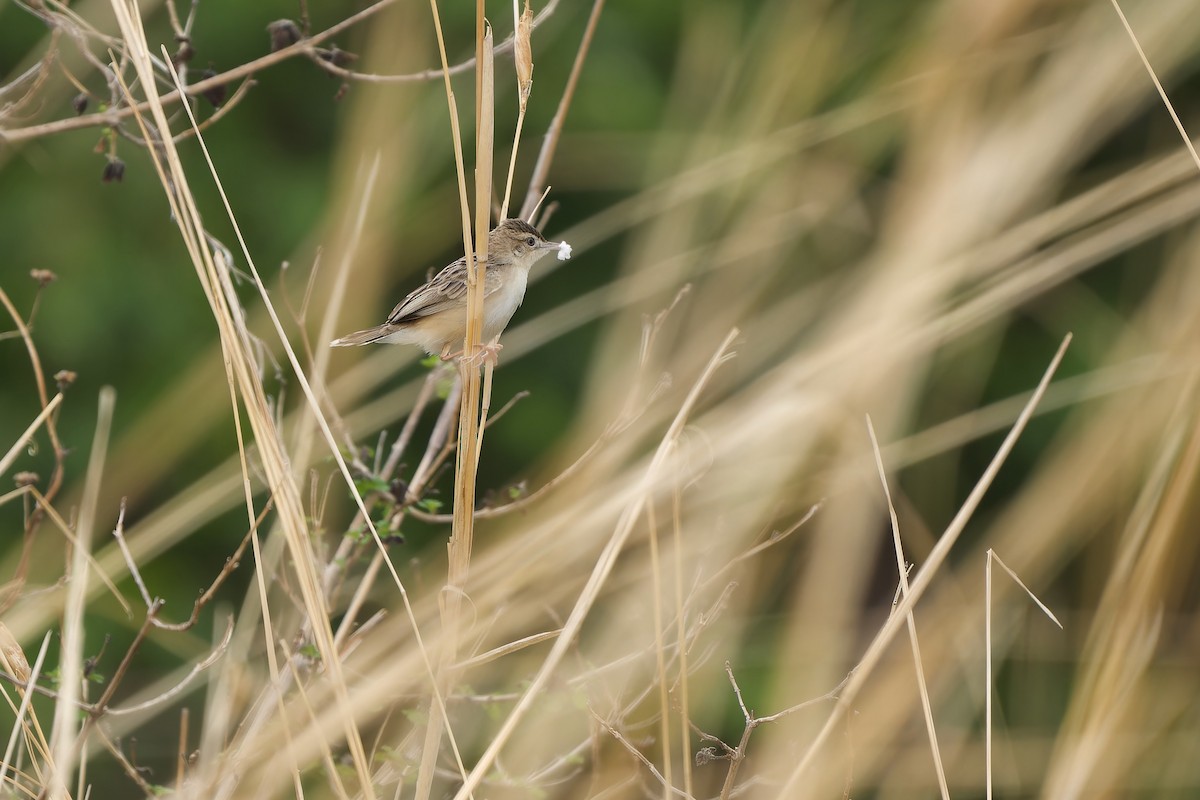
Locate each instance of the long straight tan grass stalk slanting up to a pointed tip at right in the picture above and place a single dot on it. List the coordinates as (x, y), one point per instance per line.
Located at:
(925, 578)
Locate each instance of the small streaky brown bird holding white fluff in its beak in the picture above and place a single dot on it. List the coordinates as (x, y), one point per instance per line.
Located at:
(435, 316)
